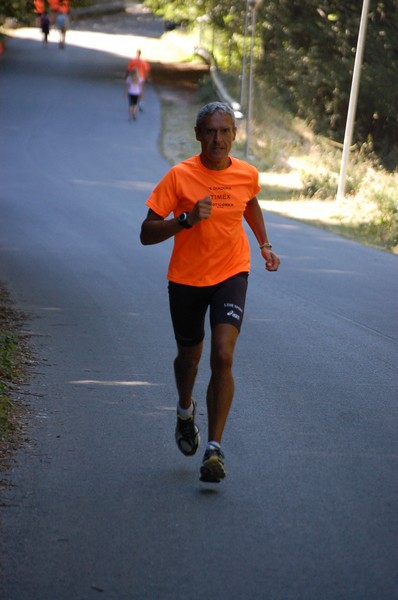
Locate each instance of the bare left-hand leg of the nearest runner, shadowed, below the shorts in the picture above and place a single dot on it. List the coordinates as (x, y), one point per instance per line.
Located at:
(185, 371)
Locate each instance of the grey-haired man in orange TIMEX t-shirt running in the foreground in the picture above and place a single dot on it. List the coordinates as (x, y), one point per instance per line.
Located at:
(209, 196)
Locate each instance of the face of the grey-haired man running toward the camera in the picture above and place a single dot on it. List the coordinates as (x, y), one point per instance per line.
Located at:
(216, 134)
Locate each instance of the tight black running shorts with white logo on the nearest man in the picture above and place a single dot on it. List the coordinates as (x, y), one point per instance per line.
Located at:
(189, 304)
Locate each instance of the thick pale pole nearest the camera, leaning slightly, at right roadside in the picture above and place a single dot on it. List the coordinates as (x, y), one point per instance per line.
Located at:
(353, 101)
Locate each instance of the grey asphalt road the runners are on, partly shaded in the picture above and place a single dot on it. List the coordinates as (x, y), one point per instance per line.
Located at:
(101, 504)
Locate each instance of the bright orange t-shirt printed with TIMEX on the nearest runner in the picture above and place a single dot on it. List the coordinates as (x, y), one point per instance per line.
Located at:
(216, 248)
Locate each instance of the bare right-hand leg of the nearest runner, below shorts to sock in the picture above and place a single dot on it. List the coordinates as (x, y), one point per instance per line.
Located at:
(221, 387)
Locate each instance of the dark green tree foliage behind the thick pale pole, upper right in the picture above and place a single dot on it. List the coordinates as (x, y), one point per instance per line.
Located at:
(309, 53)
